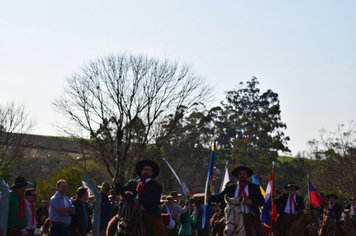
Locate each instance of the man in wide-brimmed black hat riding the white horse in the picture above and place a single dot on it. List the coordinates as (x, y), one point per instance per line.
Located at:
(251, 193)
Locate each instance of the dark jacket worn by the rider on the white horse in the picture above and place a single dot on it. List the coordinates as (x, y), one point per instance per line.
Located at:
(254, 194)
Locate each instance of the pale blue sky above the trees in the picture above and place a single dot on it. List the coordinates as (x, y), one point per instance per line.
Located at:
(303, 50)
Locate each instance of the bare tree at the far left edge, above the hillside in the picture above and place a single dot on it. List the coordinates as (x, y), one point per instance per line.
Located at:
(15, 124)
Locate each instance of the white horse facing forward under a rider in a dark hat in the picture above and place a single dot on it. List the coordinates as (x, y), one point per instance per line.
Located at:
(234, 217)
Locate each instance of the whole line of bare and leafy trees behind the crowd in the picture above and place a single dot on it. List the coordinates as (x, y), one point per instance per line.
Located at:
(164, 109)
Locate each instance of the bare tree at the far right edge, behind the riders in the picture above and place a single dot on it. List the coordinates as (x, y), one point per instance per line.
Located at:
(336, 156)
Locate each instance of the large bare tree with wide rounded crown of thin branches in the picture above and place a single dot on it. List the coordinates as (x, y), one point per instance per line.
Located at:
(127, 92)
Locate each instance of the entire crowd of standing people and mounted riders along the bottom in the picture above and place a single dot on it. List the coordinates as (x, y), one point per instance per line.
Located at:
(74, 217)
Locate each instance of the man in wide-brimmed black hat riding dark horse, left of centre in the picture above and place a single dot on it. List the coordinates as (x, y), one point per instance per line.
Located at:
(146, 190)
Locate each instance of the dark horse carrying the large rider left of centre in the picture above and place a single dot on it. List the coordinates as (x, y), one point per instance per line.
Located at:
(133, 221)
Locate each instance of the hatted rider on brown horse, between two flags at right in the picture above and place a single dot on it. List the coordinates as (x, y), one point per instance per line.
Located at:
(288, 204)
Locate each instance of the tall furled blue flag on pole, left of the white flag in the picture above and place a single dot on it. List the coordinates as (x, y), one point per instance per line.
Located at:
(208, 190)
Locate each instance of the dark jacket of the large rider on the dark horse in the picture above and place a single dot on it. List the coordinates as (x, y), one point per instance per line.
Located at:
(150, 196)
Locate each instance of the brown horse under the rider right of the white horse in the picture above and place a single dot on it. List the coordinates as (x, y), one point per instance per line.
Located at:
(298, 226)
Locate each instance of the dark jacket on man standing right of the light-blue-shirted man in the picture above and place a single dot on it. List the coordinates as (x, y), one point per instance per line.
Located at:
(78, 217)
